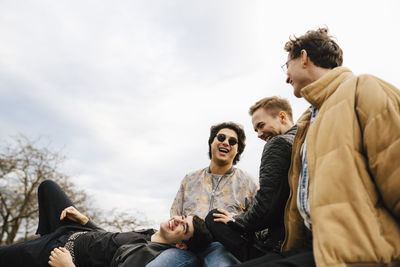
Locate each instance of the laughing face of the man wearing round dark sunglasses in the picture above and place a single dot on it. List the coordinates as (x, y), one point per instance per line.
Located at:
(222, 152)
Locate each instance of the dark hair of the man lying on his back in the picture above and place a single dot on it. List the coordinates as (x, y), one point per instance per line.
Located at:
(201, 235)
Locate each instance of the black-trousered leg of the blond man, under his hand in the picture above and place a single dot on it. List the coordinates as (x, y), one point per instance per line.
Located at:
(233, 240)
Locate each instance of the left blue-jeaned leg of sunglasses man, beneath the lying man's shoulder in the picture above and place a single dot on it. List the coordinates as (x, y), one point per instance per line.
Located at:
(174, 257)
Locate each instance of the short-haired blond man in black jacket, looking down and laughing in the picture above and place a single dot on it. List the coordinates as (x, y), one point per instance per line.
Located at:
(261, 228)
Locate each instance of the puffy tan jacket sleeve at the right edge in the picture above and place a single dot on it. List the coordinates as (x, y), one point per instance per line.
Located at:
(378, 109)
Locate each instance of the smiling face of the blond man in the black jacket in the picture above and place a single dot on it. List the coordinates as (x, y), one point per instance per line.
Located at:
(266, 125)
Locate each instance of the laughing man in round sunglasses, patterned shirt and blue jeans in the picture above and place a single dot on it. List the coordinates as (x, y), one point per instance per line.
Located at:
(218, 185)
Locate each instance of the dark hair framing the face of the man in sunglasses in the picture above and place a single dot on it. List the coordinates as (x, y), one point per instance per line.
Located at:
(233, 126)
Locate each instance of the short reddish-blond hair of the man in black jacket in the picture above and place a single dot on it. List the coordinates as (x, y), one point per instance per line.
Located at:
(273, 105)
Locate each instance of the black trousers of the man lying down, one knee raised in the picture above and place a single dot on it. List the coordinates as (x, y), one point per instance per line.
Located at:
(54, 233)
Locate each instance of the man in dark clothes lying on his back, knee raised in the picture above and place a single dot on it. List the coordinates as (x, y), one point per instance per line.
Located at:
(72, 240)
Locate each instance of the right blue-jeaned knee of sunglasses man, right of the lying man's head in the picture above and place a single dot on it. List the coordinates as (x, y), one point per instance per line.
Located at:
(217, 256)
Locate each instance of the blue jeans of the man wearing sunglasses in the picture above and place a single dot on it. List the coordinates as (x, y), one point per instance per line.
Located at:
(215, 255)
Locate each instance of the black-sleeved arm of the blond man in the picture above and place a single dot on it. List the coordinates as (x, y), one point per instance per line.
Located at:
(270, 199)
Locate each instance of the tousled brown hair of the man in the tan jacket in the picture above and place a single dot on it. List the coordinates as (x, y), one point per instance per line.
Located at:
(321, 48)
